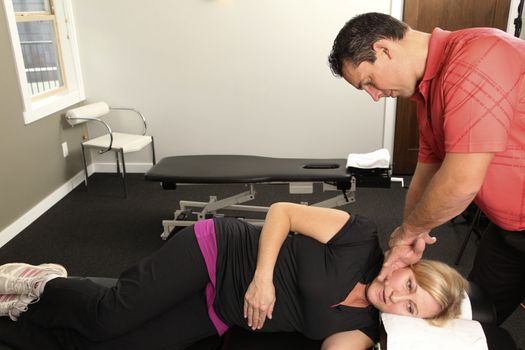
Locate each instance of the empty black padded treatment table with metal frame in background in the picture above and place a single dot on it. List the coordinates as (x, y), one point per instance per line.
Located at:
(299, 173)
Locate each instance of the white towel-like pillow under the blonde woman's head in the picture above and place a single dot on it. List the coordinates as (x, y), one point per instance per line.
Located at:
(409, 333)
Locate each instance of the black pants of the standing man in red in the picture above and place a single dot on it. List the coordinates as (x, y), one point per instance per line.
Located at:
(499, 269)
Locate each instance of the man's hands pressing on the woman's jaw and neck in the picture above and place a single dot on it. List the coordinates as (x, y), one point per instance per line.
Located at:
(404, 251)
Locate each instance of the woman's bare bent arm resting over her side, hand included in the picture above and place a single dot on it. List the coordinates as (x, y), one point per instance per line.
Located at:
(319, 223)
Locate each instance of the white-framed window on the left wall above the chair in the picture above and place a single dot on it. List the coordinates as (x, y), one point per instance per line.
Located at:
(44, 45)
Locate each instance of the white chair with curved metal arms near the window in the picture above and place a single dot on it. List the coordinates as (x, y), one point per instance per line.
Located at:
(120, 143)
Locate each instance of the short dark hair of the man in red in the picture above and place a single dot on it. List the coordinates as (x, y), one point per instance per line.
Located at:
(355, 40)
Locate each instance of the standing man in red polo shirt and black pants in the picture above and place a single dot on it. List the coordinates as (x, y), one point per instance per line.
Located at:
(469, 86)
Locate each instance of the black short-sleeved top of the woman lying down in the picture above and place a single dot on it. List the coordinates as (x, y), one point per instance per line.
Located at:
(310, 278)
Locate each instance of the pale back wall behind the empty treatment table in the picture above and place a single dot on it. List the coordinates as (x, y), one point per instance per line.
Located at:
(227, 76)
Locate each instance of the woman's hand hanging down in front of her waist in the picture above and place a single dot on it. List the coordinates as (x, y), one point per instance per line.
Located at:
(259, 301)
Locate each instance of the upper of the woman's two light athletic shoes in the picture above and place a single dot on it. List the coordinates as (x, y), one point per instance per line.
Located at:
(29, 280)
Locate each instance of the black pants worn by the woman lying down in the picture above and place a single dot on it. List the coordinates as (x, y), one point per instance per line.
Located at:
(157, 304)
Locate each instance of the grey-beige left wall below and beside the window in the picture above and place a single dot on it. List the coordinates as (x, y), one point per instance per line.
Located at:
(32, 162)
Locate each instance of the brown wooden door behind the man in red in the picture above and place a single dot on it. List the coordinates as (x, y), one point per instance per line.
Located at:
(425, 15)
